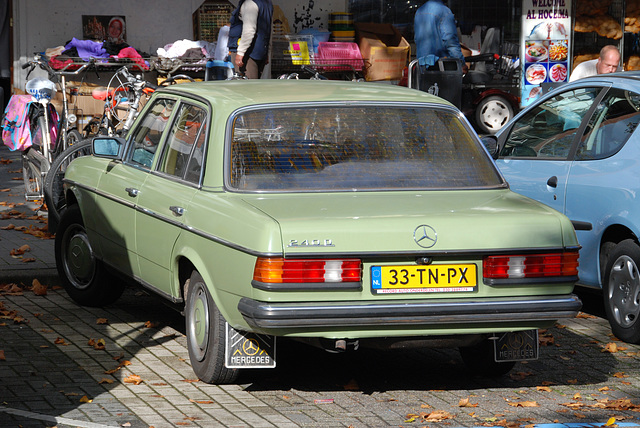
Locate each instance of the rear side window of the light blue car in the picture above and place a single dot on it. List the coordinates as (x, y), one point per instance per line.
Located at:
(613, 122)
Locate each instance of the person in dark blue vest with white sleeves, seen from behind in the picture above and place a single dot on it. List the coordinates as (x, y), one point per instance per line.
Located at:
(250, 36)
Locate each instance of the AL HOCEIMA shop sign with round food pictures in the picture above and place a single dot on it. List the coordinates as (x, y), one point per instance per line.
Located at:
(545, 46)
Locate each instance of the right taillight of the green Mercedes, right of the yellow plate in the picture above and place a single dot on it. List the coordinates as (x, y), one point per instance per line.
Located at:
(530, 265)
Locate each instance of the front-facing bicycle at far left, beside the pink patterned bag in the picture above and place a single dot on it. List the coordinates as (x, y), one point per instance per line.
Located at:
(50, 133)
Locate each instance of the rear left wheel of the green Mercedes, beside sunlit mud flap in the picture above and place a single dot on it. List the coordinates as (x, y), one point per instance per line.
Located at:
(206, 332)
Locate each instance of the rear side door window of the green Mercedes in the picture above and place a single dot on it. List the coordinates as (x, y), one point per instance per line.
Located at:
(187, 129)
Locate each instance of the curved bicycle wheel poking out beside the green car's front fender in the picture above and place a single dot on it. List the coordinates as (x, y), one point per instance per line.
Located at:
(53, 190)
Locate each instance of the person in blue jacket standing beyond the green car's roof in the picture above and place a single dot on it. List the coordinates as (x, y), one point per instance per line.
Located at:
(436, 35)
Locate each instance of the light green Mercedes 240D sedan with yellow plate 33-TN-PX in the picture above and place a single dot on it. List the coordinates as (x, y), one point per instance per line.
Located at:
(342, 214)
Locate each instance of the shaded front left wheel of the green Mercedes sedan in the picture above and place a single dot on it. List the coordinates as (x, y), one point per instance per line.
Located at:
(83, 276)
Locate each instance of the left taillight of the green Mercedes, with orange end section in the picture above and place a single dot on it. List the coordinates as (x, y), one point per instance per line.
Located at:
(280, 270)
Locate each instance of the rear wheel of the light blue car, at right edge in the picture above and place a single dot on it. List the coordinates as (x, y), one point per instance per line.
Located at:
(621, 291)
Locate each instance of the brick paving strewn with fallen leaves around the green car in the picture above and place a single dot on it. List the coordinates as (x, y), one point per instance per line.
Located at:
(53, 374)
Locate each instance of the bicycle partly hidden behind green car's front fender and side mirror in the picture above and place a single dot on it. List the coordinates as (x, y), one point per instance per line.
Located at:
(124, 93)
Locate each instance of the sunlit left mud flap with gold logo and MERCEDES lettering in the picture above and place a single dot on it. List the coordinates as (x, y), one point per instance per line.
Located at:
(245, 350)
